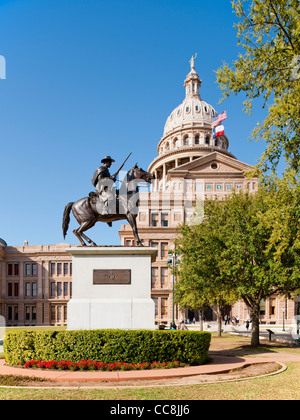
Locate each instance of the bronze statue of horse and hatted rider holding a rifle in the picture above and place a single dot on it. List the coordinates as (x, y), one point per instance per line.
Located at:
(108, 204)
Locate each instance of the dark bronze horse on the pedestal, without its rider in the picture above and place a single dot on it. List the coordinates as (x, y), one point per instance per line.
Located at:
(87, 213)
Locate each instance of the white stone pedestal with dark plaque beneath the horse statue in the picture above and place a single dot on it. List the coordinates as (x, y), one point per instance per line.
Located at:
(111, 288)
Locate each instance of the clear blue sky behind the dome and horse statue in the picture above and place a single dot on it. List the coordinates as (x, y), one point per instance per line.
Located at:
(88, 78)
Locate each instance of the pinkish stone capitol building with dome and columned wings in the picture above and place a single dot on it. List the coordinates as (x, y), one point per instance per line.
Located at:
(191, 167)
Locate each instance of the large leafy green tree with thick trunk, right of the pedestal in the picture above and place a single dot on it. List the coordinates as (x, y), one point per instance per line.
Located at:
(248, 247)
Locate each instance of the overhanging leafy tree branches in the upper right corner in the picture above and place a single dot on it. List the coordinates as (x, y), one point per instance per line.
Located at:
(269, 33)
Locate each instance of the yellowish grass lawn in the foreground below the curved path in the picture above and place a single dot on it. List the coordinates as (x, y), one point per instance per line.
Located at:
(285, 386)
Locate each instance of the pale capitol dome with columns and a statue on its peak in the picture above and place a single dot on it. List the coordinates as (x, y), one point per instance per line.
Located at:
(188, 131)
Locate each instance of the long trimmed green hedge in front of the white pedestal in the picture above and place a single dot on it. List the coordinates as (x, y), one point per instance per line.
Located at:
(107, 346)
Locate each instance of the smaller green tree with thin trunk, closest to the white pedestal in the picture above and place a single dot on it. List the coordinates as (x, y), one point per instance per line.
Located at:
(200, 282)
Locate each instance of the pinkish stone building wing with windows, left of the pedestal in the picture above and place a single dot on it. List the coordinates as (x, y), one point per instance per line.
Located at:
(35, 284)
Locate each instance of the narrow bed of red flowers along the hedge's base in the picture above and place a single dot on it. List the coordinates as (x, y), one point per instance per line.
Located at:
(94, 365)
